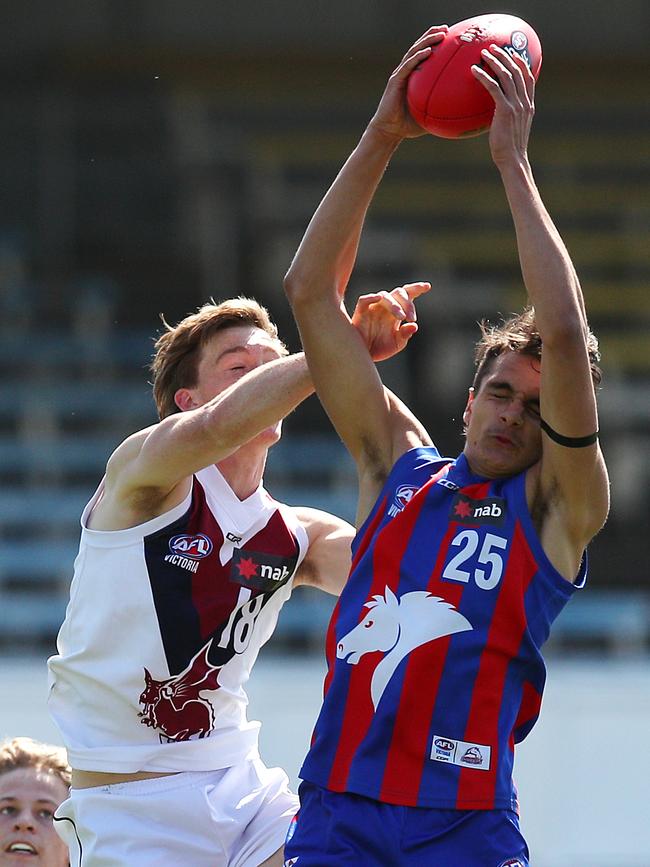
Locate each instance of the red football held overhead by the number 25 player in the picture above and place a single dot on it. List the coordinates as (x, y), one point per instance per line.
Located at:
(442, 94)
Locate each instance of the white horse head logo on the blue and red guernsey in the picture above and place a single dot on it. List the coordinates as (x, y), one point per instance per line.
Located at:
(398, 626)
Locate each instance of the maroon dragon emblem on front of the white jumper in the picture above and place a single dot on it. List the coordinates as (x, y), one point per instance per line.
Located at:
(175, 707)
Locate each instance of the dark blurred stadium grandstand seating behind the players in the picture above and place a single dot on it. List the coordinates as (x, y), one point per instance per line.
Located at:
(151, 159)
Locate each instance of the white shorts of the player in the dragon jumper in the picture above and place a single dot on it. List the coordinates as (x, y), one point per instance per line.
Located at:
(235, 817)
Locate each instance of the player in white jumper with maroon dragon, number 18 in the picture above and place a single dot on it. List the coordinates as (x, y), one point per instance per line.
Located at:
(183, 565)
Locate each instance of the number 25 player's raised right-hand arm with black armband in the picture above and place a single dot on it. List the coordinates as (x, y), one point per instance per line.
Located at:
(571, 482)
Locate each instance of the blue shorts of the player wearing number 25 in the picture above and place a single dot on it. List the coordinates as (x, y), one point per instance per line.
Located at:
(337, 830)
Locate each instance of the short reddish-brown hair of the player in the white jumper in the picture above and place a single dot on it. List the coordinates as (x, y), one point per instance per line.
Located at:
(177, 350)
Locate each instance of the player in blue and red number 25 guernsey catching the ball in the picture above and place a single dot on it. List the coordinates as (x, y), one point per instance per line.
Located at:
(459, 565)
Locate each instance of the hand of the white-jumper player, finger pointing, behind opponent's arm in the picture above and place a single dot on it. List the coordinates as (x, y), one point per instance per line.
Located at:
(387, 320)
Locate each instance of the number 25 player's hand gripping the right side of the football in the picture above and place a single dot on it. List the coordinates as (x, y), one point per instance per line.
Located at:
(511, 84)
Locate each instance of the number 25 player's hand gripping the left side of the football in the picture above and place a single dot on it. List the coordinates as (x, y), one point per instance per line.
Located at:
(392, 118)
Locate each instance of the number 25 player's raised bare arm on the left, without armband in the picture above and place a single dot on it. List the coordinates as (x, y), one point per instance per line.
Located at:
(375, 430)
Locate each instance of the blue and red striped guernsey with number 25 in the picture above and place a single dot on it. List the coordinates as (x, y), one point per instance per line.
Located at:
(434, 663)
